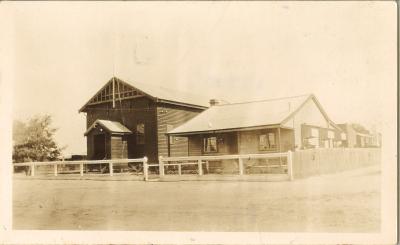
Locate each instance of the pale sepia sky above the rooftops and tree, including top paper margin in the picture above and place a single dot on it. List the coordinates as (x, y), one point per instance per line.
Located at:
(64, 52)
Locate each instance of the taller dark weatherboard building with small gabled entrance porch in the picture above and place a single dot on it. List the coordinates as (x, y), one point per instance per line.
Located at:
(126, 120)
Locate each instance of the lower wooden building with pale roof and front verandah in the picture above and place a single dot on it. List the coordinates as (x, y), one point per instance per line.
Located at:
(276, 125)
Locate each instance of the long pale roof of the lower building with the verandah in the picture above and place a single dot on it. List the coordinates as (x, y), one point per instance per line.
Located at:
(247, 115)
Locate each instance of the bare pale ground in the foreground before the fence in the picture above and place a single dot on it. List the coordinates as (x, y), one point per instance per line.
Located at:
(345, 202)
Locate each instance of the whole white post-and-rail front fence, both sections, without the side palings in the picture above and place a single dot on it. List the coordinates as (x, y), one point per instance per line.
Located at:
(164, 162)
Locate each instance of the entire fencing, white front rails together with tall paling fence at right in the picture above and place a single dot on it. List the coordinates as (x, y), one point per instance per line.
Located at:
(297, 164)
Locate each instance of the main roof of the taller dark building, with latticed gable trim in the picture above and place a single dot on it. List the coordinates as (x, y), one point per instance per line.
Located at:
(157, 93)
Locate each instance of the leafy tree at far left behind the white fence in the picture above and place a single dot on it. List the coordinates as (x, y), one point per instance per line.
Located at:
(34, 140)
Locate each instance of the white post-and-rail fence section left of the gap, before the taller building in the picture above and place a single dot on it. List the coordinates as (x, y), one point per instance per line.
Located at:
(55, 164)
